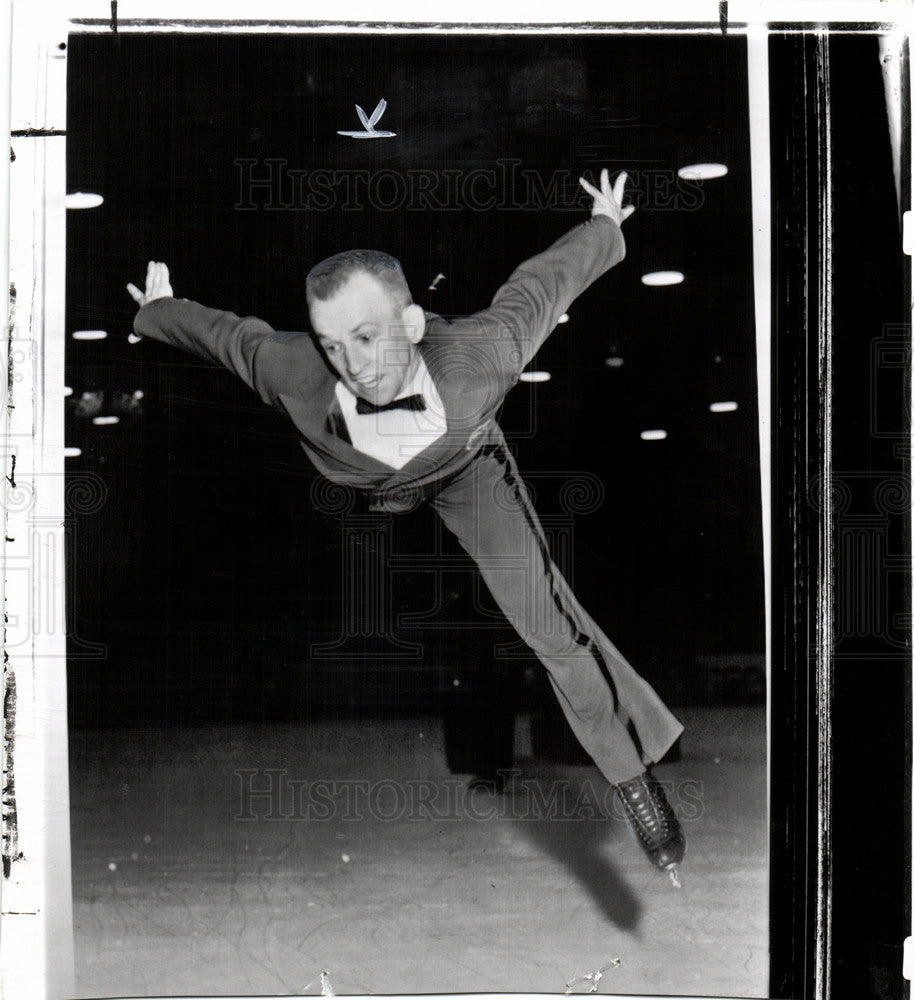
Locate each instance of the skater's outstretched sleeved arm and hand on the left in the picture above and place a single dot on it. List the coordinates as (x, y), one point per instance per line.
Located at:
(220, 337)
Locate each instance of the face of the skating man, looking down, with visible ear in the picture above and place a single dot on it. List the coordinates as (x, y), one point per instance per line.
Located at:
(368, 338)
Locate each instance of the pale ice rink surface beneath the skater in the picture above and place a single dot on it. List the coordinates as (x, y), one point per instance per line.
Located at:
(390, 875)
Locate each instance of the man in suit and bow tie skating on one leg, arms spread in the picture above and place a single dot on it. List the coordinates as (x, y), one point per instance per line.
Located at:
(402, 404)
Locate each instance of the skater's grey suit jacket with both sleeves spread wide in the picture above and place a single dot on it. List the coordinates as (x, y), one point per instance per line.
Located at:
(473, 360)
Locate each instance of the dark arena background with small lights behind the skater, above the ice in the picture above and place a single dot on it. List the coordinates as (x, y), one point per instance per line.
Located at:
(208, 571)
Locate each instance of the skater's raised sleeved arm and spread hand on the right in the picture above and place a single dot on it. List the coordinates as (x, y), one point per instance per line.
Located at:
(528, 306)
